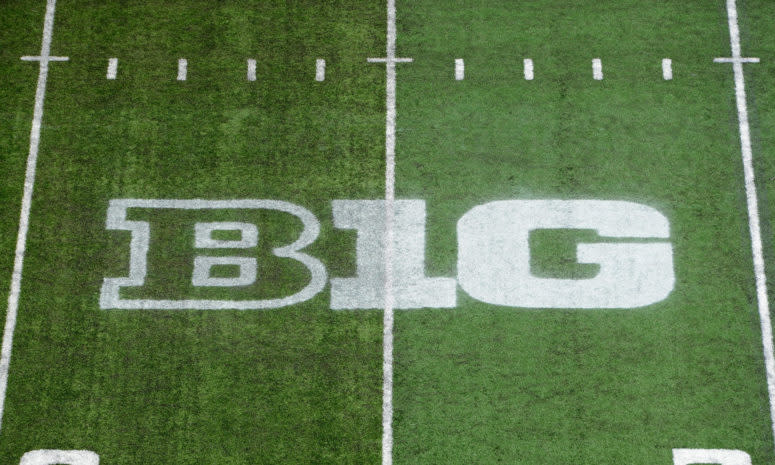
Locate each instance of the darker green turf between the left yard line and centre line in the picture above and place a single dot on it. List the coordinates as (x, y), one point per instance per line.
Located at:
(293, 385)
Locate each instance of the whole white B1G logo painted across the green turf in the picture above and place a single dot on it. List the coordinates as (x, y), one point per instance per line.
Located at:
(493, 263)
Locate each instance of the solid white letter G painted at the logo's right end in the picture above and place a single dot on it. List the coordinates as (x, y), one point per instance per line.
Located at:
(494, 254)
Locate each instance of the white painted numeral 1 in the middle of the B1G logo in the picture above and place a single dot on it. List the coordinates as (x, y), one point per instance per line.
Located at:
(411, 288)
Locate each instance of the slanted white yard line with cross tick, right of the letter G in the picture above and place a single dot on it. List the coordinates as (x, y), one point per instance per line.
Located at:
(753, 206)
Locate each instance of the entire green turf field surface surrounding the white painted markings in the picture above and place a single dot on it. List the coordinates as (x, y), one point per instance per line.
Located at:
(475, 384)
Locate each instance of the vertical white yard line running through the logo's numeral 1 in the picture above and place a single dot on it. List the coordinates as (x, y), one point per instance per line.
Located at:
(390, 61)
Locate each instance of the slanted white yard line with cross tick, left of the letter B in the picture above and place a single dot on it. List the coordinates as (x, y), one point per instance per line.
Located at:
(24, 217)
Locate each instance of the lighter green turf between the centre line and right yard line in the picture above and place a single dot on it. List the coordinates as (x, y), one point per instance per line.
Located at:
(483, 384)
